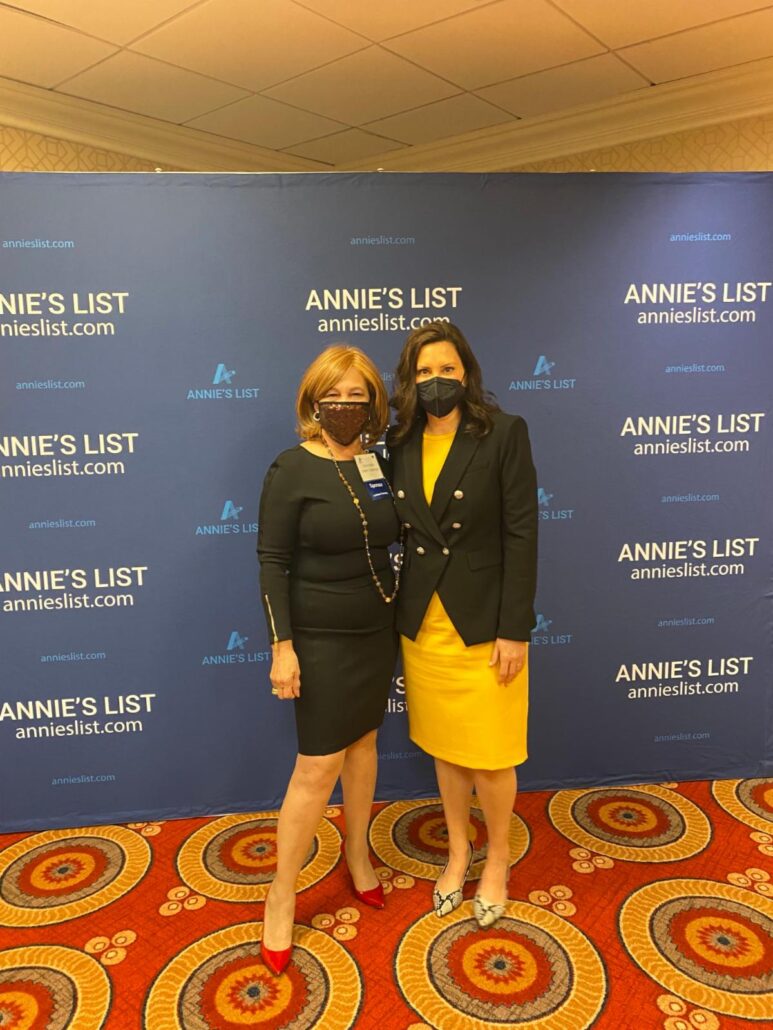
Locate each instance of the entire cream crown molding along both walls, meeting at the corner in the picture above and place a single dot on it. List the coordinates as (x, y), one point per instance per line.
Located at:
(736, 93)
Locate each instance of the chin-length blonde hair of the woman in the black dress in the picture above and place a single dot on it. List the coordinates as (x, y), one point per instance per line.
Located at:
(326, 370)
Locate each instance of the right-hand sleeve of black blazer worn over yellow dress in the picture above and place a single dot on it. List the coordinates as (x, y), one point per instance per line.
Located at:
(519, 535)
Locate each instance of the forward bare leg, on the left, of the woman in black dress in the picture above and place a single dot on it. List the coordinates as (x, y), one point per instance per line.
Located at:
(309, 794)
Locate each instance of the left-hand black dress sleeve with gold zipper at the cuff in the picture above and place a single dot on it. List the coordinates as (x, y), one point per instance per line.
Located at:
(278, 538)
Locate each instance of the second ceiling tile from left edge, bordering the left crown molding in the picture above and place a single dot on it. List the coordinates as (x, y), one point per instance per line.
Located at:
(138, 84)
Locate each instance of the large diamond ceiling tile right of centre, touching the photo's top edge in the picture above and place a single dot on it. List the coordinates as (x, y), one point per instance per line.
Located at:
(496, 43)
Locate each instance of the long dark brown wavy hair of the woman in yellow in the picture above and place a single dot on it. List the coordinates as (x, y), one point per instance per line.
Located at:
(478, 406)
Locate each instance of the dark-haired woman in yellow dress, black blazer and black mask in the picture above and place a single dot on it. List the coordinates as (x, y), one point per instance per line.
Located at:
(466, 491)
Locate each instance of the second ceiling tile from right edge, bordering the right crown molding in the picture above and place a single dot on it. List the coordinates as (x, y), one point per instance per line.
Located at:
(582, 83)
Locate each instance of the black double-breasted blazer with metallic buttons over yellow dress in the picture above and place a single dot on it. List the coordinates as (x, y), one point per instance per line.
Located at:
(477, 544)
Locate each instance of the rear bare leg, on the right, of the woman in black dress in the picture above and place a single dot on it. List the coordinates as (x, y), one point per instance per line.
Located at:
(359, 782)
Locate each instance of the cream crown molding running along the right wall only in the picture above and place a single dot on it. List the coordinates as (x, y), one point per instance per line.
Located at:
(657, 111)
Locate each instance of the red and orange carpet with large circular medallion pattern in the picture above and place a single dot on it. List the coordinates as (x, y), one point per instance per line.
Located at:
(632, 907)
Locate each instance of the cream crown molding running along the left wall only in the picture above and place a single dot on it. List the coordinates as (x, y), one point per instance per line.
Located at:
(50, 114)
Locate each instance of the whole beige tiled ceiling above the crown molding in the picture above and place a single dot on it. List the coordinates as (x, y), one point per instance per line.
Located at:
(341, 82)
